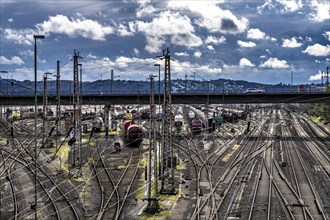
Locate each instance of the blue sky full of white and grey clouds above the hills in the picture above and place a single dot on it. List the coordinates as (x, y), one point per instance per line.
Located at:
(253, 40)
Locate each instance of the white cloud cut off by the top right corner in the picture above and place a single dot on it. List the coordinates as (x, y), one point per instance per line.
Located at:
(321, 10)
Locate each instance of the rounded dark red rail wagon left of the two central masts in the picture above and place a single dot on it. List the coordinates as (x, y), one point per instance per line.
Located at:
(133, 134)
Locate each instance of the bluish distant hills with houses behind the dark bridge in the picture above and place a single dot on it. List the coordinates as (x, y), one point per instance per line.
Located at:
(14, 87)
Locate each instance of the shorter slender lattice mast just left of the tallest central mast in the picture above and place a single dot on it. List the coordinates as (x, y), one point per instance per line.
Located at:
(152, 179)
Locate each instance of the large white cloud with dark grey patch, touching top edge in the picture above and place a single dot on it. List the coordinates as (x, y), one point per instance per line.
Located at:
(210, 16)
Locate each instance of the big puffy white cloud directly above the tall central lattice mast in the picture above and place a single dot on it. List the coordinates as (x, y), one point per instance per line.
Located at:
(173, 25)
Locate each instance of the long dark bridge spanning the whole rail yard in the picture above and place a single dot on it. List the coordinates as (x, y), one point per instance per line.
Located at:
(188, 98)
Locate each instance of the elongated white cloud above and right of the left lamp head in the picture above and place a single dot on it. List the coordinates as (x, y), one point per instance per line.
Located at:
(73, 28)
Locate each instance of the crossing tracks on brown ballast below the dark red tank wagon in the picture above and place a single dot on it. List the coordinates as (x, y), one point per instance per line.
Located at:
(115, 178)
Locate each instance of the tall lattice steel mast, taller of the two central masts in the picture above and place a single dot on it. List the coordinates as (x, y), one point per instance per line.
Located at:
(167, 175)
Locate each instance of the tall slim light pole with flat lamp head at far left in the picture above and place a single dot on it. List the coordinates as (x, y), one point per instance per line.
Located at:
(35, 124)
